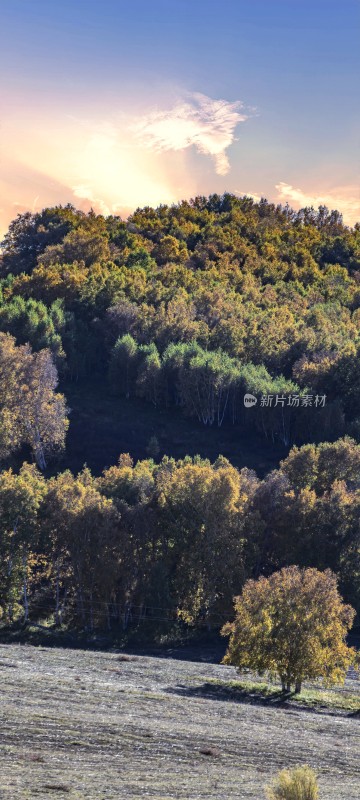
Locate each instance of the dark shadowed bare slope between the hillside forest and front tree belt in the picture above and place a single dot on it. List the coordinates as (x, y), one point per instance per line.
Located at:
(102, 427)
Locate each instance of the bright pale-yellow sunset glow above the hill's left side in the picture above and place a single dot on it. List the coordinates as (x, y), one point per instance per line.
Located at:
(90, 164)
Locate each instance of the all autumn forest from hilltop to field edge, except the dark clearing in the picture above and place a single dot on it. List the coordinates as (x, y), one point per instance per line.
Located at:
(188, 307)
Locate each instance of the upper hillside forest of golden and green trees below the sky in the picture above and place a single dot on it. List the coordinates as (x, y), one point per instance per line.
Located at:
(247, 288)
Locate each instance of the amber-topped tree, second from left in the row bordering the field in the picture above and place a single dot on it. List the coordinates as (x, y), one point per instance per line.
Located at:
(86, 546)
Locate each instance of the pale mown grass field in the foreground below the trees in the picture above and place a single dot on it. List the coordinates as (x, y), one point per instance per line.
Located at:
(108, 726)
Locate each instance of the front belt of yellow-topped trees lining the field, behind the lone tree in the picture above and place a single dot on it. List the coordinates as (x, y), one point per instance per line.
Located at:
(175, 539)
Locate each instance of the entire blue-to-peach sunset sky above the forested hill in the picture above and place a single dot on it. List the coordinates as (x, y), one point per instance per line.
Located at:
(124, 103)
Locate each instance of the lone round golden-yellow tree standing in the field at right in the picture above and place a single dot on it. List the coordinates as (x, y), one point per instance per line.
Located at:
(292, 626)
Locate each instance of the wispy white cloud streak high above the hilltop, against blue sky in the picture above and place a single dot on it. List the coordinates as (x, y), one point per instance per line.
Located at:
(207, 124)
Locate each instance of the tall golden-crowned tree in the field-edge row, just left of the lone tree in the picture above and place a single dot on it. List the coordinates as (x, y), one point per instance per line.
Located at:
(201, 511)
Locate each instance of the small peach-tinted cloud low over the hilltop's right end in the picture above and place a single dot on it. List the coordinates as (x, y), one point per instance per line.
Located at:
(345, 199)
